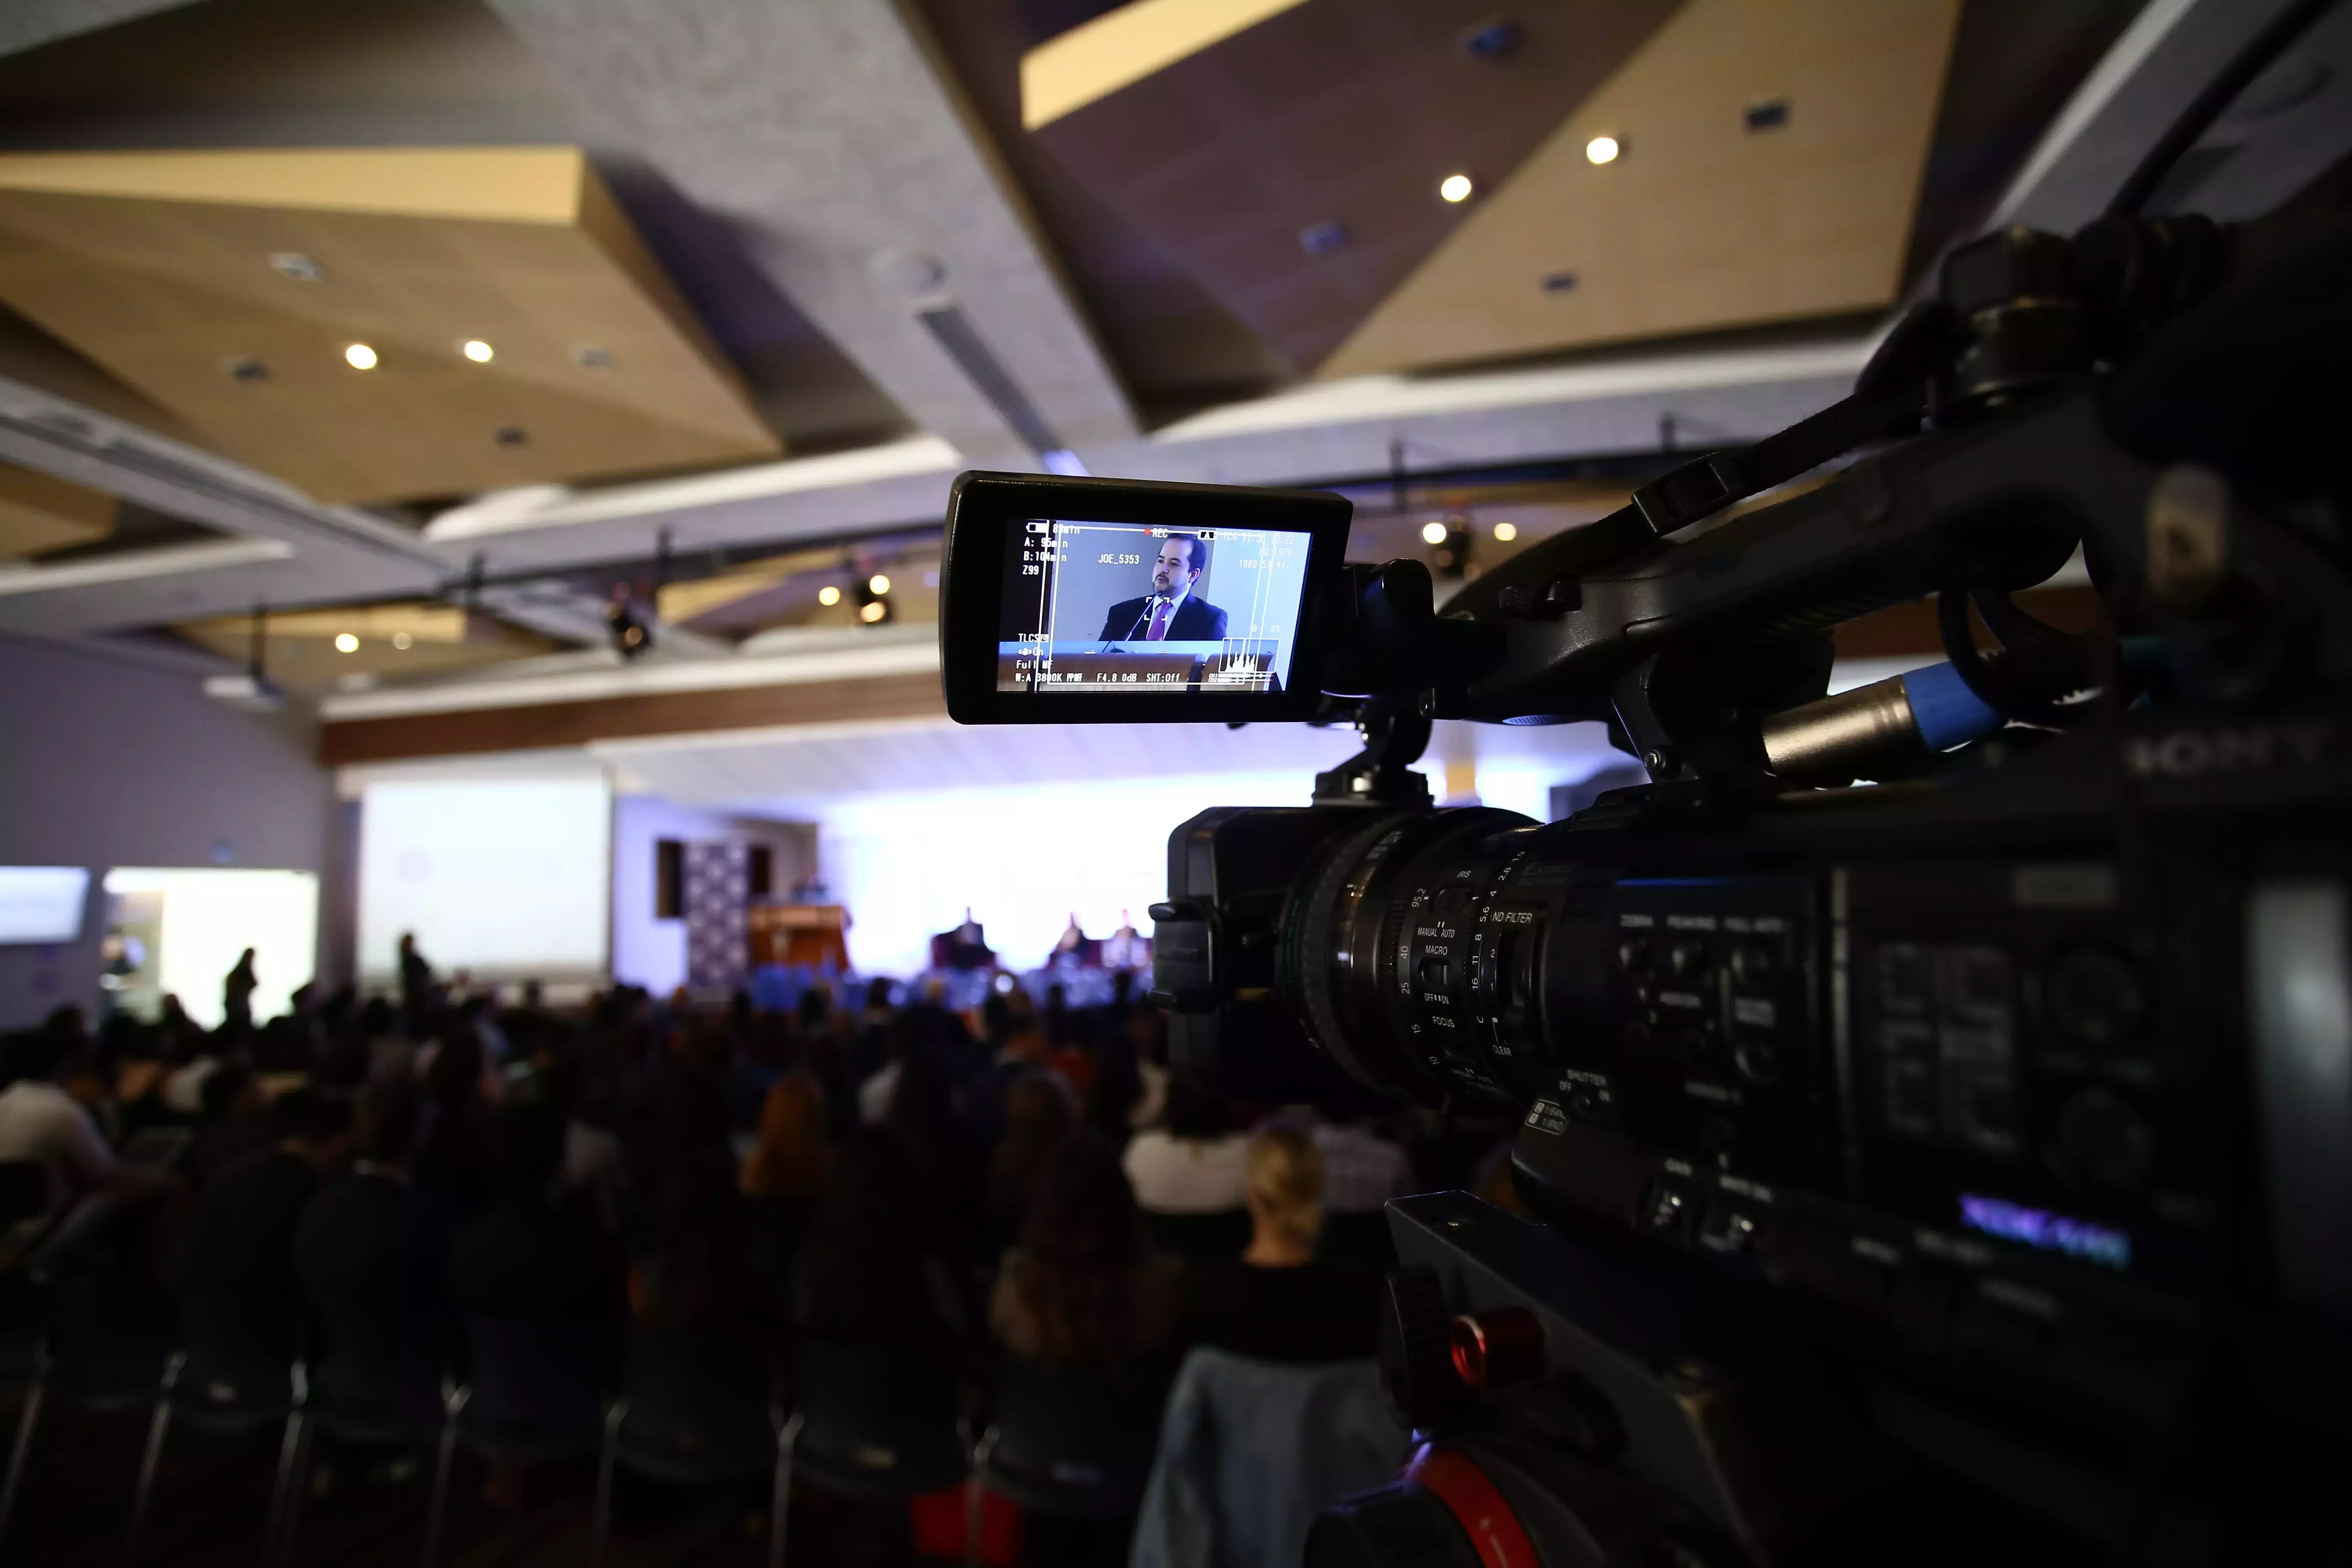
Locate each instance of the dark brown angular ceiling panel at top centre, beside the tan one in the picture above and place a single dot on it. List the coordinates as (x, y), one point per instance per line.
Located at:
(1332, 112)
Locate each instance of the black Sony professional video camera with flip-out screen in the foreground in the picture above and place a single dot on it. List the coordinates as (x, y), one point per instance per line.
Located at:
(1939, 1167)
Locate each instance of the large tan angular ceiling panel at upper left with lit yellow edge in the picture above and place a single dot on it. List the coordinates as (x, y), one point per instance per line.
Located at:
(166, 279)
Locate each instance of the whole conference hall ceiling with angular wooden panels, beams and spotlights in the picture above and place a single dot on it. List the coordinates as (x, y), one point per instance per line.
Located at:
(432, 326)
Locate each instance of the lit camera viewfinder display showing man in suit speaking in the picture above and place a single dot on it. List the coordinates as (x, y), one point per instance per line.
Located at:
(1128, 608)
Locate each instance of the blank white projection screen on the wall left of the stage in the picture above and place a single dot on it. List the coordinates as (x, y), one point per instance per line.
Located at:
(502, 878)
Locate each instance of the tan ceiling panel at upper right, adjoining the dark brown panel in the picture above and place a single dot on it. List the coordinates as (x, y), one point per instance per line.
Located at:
(1702, 222)
